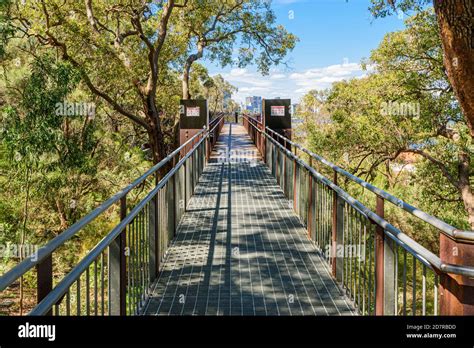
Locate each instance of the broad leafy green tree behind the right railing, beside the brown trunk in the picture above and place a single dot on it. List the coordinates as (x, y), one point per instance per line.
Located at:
(405, 113)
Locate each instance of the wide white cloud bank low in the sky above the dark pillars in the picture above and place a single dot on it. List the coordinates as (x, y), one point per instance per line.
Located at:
(294, 85)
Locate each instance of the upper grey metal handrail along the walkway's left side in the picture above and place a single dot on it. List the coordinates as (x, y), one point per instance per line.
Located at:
(36, 258)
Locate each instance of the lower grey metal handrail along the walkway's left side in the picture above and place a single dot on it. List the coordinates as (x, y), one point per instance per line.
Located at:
(62, 287)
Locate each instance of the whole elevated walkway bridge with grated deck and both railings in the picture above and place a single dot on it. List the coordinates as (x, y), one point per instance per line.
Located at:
(243, 224)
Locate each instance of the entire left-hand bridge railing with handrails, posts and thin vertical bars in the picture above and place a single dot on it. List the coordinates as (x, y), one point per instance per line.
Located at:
(114, 278)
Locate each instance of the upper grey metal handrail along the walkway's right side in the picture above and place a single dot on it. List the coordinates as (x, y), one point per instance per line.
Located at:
(444, 227)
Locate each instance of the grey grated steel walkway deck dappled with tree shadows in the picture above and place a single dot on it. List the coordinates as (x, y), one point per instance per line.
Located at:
(249, 257)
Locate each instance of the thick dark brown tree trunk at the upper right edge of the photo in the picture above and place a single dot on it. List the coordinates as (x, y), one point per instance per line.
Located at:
(457, 31)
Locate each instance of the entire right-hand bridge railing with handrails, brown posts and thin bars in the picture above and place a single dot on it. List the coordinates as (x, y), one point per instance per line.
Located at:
(382, 269)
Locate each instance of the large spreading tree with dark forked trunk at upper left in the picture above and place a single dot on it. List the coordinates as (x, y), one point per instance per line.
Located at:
(119, 47)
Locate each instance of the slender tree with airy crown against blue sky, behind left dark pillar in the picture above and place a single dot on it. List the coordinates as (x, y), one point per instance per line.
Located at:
(217, 28)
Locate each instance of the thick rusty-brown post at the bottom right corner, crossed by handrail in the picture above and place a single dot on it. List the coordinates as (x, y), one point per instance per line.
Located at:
(456, 291)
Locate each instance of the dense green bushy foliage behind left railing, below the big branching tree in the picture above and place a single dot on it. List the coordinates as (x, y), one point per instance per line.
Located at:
(56, 166)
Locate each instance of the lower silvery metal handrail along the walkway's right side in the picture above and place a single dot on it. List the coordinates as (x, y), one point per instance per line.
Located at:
(433, 259)
